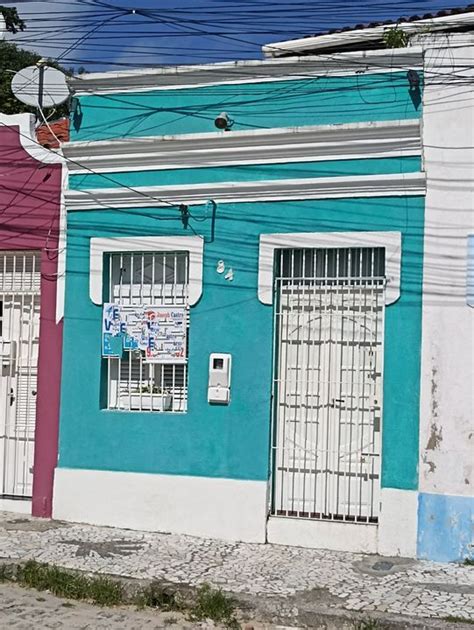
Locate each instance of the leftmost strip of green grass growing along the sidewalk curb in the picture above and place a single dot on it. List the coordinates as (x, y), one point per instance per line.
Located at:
(99, 590)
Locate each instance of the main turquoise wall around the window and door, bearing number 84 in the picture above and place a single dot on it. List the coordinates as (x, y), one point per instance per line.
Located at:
(231, 441)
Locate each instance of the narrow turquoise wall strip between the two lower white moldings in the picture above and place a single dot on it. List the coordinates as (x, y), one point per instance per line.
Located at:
(296, 170)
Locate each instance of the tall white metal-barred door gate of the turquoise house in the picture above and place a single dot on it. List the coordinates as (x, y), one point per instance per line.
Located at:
(327, 383)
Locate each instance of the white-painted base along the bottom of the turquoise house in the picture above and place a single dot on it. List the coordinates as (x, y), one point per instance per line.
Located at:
(229, 509)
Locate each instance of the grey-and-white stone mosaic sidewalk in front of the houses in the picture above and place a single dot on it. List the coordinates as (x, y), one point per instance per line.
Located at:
(282, 583)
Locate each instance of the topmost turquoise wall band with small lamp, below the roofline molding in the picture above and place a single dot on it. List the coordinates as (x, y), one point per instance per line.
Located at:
(307, 101)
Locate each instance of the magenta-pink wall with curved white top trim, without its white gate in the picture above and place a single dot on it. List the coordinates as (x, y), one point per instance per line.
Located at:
(30, 210)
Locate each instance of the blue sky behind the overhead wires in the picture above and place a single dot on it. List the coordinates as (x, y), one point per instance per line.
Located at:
(120, 34)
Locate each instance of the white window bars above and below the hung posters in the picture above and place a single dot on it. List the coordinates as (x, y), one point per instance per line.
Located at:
(160, 278)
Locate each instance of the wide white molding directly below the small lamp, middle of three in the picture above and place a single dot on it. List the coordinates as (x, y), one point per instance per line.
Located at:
(315, 143)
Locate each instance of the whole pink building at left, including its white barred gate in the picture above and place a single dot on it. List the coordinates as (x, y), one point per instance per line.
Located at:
(30, 335)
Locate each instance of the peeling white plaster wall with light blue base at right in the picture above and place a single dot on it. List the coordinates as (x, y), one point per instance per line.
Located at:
(447, 399)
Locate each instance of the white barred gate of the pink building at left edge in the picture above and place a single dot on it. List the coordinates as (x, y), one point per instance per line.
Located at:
(19, 341)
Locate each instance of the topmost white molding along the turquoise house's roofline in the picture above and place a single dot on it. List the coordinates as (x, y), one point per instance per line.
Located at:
(239, 72)
